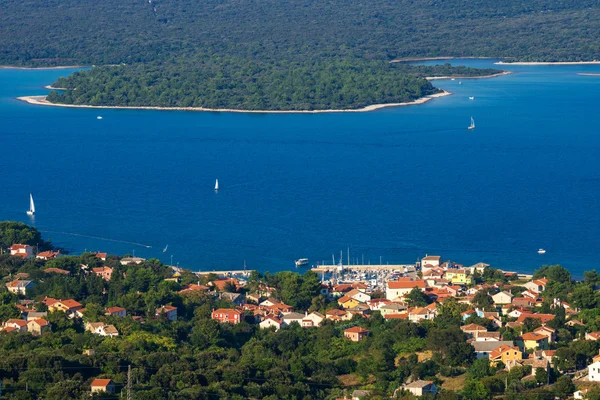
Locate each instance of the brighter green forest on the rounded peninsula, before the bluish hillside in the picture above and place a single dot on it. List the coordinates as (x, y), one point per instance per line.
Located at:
(239, 84)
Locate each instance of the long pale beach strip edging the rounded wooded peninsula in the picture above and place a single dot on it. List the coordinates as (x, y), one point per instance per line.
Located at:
(41, 100)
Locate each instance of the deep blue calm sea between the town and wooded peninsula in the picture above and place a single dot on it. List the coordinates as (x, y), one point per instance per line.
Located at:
(396, 183)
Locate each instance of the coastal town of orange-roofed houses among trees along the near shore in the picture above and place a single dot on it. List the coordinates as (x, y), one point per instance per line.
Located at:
(520, 330)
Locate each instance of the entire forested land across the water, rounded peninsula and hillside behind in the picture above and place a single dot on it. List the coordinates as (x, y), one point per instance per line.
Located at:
(280, 55)
